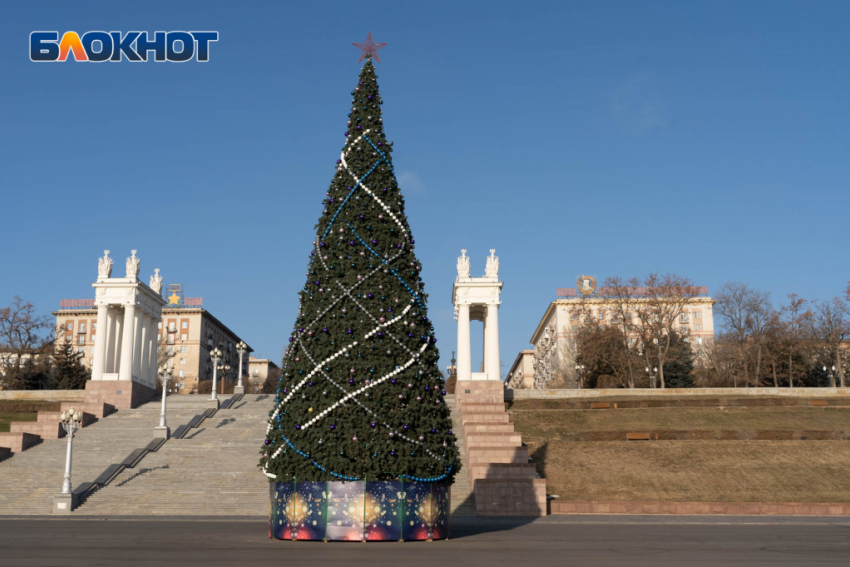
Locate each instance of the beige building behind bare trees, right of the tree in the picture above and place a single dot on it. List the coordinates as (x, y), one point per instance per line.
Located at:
(554, 337)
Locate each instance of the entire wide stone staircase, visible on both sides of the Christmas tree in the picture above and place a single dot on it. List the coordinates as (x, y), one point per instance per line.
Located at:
(211, 471)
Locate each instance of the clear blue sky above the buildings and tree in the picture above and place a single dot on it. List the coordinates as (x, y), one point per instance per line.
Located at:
(708, 139)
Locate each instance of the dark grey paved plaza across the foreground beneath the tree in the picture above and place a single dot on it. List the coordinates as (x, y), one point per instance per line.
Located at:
(635, 541)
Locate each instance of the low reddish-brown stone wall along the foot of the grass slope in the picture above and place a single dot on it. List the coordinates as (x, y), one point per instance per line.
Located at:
(702, 508)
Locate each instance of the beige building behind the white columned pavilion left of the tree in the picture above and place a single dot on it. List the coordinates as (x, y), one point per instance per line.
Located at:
(186, 335)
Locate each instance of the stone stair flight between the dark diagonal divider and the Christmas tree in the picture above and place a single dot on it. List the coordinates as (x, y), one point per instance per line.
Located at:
(211, 471)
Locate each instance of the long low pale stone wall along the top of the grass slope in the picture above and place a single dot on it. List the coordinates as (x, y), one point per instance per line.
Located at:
(514, 395)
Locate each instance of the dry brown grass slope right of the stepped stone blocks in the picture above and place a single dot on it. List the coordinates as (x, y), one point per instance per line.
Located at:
(716, 471)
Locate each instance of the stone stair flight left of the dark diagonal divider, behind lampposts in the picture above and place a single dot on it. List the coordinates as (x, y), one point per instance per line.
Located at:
(29, 479)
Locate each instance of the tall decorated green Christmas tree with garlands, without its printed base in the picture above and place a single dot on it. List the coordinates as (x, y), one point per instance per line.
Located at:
(360, 395)
